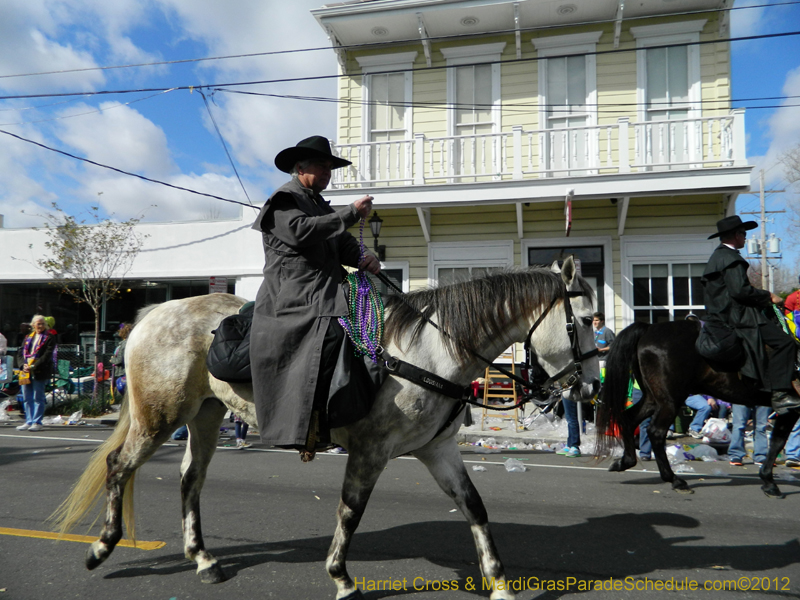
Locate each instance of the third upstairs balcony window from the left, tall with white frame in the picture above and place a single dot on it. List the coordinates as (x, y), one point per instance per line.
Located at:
(568, 102)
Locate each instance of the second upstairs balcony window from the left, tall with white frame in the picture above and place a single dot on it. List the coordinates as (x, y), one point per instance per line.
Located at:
(473, 94)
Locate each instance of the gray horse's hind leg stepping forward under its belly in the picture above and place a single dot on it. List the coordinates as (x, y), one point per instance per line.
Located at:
(203, 434)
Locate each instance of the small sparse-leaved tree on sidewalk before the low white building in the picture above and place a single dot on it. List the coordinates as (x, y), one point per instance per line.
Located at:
(88, 259)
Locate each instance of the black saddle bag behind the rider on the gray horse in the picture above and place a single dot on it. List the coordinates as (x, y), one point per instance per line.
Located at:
(229, 355)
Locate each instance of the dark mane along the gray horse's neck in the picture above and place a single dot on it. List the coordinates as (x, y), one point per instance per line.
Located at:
(475, 310)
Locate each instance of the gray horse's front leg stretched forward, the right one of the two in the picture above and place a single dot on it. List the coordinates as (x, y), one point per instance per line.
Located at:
(444, 462)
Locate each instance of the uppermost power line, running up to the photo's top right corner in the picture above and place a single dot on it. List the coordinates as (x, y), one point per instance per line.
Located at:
(367, 45)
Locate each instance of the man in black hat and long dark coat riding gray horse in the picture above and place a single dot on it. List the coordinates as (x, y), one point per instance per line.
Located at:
(296, 338)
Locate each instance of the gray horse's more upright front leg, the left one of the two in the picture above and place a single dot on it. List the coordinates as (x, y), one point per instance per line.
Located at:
(361, 474)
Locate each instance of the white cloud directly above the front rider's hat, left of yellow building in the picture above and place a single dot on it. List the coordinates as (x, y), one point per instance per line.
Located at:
(257, 128)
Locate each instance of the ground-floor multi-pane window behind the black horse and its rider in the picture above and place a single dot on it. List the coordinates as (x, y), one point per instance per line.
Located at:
(667, 291)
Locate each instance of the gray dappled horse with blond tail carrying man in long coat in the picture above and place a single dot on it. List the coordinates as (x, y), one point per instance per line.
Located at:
(169, 386)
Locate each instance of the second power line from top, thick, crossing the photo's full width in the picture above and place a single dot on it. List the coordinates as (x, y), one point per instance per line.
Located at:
(412, 70)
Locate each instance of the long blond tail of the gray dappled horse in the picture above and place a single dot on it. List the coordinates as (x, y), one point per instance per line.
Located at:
(90, 488)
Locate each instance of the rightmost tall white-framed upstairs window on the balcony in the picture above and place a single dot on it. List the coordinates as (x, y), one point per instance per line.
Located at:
(668, 89)
